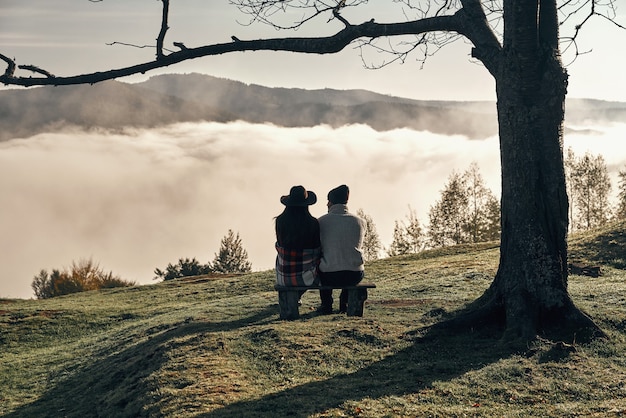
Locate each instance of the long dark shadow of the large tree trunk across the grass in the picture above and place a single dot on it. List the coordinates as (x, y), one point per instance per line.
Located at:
(435, 356)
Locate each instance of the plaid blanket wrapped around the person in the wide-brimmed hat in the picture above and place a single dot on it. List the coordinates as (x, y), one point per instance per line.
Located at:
(297, 267)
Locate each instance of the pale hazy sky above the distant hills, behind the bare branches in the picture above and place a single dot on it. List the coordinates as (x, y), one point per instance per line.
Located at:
(70, 36)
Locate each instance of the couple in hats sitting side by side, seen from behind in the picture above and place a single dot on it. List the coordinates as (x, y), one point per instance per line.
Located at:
(324, 251)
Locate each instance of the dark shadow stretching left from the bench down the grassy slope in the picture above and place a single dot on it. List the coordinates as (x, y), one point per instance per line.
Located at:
(118, 384)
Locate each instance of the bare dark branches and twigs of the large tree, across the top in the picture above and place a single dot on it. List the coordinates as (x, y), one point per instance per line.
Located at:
(436, 23)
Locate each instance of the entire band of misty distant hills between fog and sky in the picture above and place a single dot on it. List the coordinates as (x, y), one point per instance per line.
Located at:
(172, 98)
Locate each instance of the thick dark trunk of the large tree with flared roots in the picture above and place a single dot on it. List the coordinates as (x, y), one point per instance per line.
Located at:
(529, 295)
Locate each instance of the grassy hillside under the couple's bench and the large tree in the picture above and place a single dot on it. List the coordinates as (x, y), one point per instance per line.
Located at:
(214, 347)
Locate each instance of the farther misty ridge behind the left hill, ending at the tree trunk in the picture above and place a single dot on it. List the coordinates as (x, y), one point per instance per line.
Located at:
(299, 107)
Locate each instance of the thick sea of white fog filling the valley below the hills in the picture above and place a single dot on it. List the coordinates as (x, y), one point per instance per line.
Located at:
(141, 199)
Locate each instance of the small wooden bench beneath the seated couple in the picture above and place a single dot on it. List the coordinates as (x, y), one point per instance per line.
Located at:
(289, 297)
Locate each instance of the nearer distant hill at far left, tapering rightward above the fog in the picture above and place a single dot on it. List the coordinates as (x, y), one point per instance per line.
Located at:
(109, 105)
